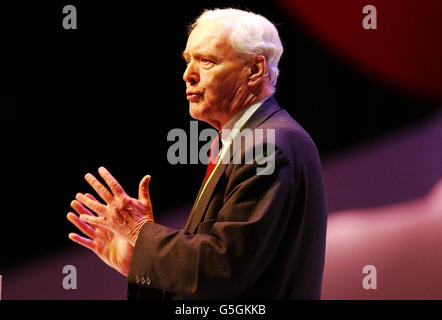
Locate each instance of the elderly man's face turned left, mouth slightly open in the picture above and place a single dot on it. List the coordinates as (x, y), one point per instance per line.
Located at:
(215, 77)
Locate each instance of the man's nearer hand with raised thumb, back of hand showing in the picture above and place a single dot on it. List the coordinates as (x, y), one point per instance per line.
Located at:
(122, 214)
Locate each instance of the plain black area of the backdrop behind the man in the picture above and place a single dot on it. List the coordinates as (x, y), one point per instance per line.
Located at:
(109, 92)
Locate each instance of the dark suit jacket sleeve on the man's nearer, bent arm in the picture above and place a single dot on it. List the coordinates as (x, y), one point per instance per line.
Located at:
(239, 246)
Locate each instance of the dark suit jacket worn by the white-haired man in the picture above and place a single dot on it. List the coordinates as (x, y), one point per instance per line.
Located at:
(250, 235)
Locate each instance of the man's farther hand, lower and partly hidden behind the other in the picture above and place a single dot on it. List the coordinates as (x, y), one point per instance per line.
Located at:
(112, 249)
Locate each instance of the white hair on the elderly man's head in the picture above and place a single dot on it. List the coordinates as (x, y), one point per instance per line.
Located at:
(252, 35)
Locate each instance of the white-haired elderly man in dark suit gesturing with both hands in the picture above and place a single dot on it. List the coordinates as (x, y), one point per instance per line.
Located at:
(249, 235)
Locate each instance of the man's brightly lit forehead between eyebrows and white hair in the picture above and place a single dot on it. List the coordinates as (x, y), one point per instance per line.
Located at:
(212, 36)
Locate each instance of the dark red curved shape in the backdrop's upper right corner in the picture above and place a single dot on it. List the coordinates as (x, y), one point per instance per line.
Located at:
(405, 50)
